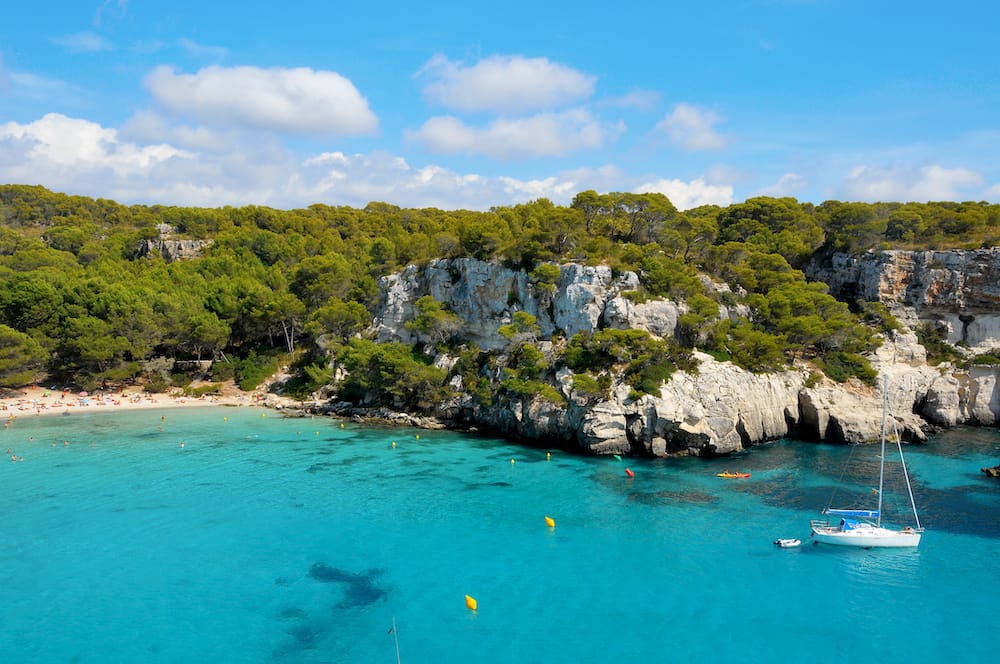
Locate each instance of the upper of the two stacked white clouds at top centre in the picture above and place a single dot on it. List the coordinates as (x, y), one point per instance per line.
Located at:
(505, 84)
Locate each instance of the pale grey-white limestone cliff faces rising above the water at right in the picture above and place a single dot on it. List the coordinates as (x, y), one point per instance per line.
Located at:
(722, 408)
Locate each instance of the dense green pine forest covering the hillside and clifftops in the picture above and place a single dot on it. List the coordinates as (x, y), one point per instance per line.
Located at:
(82, 303)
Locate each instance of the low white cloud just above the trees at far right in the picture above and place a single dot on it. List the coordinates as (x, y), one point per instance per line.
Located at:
(926, 183)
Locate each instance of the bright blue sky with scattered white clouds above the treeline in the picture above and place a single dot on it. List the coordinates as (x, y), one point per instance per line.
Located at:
(468, 105)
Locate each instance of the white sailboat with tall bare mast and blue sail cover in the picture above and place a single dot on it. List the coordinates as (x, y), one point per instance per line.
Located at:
(863, 527)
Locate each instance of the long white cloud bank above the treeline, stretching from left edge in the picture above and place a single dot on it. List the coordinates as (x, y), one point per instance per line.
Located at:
(81, 157)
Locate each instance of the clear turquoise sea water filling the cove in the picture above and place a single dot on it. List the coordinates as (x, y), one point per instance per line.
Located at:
(265, 539)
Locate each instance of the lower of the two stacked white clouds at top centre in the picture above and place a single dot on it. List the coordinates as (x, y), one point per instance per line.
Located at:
(542, 135)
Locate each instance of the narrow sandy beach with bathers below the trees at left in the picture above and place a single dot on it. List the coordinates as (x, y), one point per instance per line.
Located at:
(39, 401)
